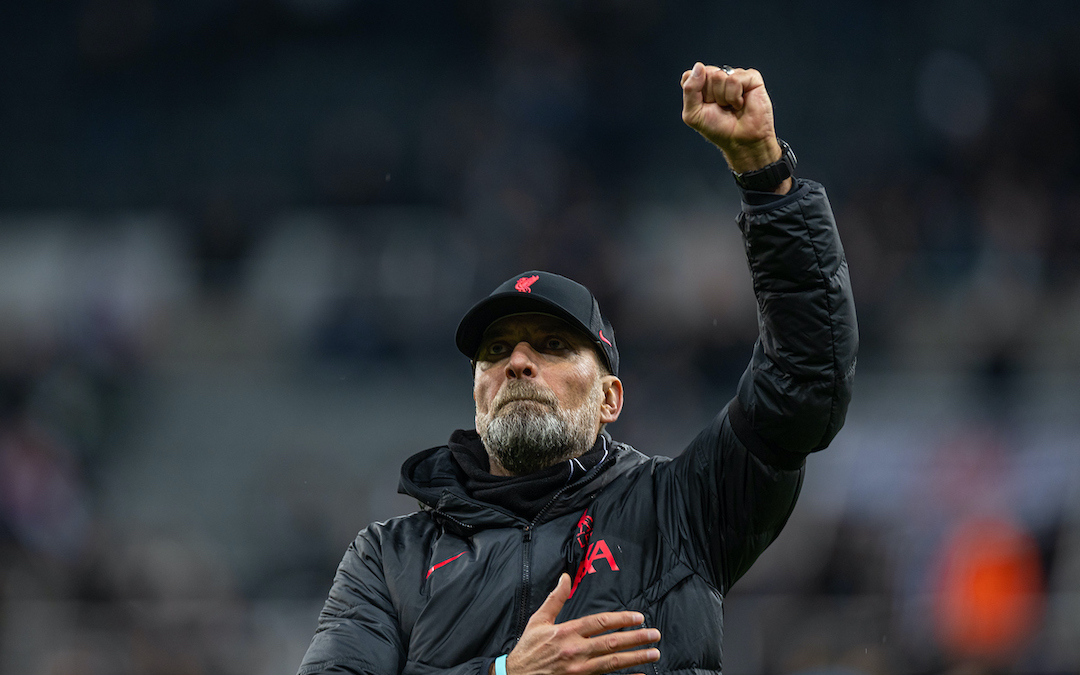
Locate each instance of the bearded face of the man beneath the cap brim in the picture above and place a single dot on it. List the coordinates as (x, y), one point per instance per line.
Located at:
(541, 393)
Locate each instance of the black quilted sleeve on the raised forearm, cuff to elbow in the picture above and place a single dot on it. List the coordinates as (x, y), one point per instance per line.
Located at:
(796, 390)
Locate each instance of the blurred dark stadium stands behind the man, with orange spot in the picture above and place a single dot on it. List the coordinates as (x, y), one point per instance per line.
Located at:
(236, 237)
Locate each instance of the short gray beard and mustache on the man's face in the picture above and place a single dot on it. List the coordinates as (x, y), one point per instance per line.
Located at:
(526, 437)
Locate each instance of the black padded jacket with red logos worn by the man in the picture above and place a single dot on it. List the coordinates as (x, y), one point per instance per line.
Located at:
(450, 588)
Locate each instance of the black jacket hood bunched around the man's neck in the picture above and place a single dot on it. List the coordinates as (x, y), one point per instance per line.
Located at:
(435, 479)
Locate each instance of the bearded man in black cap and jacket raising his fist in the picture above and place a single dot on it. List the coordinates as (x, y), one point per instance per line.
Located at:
(641, 552)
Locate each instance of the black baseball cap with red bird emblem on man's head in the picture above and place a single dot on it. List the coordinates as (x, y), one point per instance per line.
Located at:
(548, 294)
